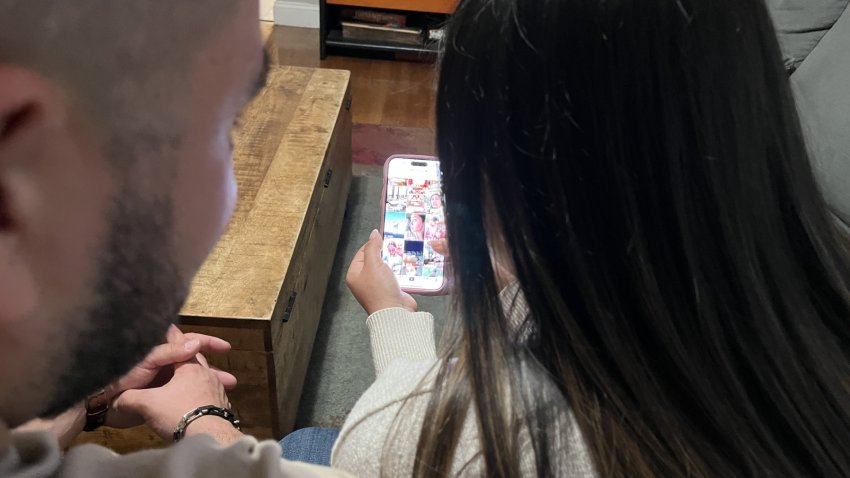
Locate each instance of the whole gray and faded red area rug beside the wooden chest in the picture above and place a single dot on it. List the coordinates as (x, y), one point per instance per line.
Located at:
(341, 364)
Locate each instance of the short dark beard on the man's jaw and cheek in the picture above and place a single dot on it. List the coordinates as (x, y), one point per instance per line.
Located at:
(138, 295)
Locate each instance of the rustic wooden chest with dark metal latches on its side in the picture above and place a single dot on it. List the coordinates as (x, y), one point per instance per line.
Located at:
(263, 286)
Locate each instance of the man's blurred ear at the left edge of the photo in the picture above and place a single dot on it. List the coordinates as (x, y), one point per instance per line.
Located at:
(25, 111)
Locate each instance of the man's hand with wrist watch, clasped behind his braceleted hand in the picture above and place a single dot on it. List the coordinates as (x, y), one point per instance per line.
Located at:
(157, 368)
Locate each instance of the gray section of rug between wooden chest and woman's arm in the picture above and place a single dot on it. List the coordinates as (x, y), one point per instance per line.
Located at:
(341, 365)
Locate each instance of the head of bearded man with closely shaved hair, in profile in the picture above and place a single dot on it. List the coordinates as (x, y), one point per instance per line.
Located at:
(115, 179)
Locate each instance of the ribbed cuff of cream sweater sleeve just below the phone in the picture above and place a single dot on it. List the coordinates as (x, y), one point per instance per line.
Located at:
(398, 333)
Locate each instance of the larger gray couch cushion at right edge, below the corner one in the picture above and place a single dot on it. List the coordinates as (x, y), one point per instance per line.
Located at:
(822, 87)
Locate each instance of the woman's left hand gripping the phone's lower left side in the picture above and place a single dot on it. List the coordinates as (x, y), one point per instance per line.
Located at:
(372, 282)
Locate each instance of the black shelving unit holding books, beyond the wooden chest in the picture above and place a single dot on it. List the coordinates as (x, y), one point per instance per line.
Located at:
(333, 42)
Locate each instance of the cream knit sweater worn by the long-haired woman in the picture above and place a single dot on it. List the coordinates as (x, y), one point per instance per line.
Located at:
(405, 357)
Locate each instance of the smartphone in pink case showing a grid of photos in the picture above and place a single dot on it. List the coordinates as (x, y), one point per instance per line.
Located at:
(413, 218)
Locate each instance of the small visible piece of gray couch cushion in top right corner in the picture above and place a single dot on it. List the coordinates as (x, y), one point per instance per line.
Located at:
(801, 24)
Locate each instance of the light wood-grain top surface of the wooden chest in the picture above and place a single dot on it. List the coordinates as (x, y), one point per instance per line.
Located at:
(279, 152)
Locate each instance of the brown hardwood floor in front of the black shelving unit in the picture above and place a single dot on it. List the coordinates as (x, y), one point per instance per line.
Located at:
(391, 93)
